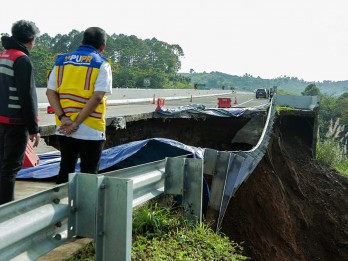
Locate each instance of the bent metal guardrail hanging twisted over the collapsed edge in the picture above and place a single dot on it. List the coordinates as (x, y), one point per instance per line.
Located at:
(229, 169)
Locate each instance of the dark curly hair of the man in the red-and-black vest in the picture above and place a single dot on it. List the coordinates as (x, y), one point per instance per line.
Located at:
(24, 31)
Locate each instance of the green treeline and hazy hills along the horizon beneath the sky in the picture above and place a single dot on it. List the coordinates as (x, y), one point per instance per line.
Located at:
(152, 63)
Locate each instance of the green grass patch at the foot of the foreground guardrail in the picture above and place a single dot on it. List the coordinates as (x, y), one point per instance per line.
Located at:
(161, 233)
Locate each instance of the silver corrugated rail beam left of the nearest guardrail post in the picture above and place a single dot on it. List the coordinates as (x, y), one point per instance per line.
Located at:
(33, 226)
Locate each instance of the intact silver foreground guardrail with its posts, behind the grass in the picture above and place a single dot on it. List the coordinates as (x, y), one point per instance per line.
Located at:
(98, 206)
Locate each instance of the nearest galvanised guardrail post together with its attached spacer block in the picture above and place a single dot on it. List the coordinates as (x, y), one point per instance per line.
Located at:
(101, 208)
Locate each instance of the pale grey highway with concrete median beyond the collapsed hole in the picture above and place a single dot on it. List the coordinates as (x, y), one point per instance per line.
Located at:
(137, 101)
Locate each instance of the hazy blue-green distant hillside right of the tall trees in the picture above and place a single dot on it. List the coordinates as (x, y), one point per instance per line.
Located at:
(247, 82)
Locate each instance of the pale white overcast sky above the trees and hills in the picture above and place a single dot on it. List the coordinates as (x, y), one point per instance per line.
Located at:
(307, 39)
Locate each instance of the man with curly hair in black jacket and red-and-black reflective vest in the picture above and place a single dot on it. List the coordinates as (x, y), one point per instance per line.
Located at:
(18, 104)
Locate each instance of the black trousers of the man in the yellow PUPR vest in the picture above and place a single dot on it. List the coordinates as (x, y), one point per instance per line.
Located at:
(71, 149)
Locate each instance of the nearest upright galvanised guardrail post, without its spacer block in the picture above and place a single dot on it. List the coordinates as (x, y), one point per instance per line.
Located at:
(114, 219)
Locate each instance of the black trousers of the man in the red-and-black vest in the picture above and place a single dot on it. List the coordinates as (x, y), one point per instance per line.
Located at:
(13, 143)
